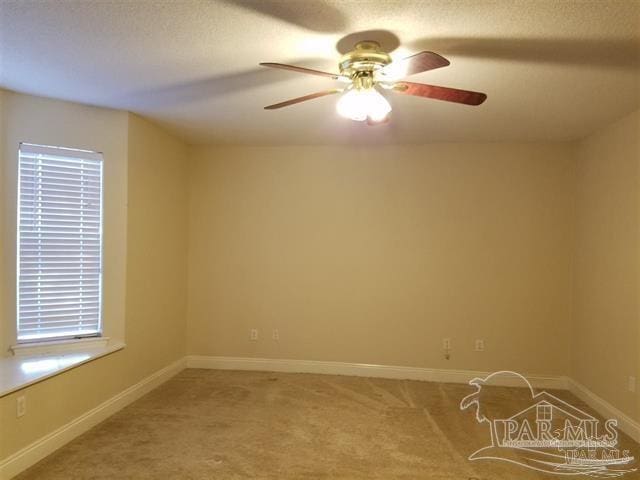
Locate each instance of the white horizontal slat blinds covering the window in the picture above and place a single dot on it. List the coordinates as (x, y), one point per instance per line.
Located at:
(59, 243)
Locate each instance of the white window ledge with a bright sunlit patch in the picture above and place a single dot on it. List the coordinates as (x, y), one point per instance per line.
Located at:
(25, 369)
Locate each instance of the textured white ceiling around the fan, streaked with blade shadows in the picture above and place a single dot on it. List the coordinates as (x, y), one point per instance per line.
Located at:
(553, 70)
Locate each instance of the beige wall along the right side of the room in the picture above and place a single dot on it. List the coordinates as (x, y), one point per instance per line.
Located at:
(605, 333)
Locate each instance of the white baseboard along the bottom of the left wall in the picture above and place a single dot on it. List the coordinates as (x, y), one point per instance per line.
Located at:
(31, 454)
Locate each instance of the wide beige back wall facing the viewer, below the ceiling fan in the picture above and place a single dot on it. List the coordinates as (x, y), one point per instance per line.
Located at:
(375, 255)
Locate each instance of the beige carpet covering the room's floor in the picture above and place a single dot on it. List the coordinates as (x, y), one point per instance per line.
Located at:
(207, 424)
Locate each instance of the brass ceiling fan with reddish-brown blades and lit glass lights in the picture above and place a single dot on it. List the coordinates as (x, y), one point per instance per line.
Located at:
(367, 68)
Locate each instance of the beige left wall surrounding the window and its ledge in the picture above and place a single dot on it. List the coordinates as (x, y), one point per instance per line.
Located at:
(153, 283)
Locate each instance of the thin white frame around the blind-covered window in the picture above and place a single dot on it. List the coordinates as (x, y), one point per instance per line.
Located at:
(60, 340)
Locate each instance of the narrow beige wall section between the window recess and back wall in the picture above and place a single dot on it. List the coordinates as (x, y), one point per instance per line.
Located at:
(157, 246)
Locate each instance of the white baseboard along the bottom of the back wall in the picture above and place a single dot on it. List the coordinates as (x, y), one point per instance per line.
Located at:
(363, 370)
